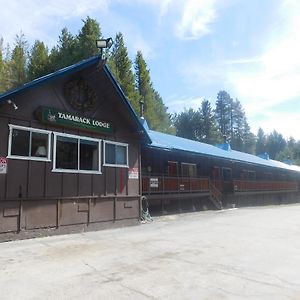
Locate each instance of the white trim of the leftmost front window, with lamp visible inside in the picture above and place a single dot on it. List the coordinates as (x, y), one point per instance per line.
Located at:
(30, 129)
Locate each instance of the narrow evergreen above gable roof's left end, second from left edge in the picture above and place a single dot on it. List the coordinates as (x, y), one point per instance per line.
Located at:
(19, 61)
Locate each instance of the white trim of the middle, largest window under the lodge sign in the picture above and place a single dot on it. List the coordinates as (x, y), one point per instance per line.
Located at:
(78, 137)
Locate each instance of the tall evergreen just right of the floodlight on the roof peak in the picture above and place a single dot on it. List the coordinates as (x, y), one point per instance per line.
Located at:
(121, 67)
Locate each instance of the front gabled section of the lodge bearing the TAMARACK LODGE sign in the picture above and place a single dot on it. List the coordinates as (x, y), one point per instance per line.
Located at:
(70, 151)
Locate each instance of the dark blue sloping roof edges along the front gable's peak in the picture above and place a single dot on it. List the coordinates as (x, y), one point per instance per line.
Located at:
(70, 70)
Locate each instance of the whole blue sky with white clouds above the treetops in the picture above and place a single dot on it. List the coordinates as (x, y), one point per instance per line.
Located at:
(194, 48)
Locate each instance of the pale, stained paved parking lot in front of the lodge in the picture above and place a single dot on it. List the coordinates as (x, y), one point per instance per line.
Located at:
(247, 253)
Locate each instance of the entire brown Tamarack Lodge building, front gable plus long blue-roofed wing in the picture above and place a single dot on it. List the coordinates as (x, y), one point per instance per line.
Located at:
(74, 155)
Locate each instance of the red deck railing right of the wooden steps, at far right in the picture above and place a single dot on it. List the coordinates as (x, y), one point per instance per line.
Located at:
(244, 185)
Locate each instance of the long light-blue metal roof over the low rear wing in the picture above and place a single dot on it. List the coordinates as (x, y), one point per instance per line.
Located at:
(170, 143)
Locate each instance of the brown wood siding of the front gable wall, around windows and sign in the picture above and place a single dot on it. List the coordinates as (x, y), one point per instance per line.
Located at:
(33, 196)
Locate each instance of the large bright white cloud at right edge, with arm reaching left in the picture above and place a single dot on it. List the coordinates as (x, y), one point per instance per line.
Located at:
(265, 80)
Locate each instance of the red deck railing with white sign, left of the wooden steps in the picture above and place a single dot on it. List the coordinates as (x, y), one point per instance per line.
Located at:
(165, 184)
